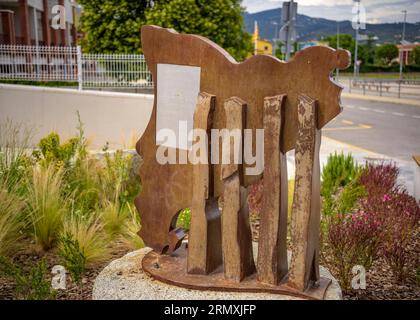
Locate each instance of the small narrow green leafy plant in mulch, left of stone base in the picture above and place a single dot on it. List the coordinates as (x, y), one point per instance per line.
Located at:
(73, 257)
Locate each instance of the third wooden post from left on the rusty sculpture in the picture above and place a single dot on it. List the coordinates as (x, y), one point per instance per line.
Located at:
(272, 249)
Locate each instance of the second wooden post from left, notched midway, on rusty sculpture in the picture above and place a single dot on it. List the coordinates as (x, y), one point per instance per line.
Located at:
(238, 260)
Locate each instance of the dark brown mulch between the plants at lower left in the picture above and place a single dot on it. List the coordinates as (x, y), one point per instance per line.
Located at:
(28, 258)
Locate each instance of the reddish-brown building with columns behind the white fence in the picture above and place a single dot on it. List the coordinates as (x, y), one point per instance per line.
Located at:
(29, 22)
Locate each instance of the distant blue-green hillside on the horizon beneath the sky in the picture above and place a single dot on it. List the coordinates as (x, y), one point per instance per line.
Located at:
(309, 28)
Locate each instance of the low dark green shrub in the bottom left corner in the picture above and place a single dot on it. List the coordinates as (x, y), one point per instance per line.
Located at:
(32, 285)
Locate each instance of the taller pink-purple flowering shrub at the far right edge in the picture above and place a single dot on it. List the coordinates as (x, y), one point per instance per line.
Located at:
(397, 212)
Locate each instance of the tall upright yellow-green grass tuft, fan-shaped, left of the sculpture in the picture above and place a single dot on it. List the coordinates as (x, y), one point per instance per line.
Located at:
(46, 209)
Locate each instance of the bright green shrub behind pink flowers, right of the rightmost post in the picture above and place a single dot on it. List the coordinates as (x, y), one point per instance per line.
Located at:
(338, 172)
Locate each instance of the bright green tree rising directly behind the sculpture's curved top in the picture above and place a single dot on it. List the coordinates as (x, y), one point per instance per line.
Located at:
(219, 20)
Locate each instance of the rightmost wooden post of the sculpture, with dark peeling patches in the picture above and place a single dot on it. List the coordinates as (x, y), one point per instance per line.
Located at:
(306, 202)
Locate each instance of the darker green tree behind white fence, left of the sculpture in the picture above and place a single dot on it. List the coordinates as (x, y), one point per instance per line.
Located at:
(112, 26)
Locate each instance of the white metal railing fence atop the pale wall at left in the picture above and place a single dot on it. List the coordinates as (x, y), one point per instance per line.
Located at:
(69, 64)
